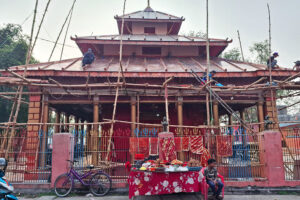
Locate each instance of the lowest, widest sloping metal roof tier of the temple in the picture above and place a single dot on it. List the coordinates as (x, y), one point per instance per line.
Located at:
(142, 65)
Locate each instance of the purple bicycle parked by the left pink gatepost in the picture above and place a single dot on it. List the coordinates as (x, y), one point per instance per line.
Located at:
(99, 182)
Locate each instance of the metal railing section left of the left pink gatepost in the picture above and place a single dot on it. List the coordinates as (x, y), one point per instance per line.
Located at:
(29, 157)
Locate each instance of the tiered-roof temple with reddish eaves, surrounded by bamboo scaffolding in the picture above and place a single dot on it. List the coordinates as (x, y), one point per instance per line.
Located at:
(157, 62)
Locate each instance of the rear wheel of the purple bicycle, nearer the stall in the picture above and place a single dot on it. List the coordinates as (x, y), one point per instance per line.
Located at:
(100, 184)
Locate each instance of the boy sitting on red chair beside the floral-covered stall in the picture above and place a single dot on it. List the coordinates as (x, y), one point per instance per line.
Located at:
(211, 175)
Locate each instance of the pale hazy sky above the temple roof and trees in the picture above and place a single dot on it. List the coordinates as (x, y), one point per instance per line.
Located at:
(95, 17)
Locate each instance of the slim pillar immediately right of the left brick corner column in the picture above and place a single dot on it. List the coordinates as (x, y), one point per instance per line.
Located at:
(45, 131)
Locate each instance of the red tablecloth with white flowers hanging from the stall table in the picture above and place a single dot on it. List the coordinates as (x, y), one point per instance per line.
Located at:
(154, 183)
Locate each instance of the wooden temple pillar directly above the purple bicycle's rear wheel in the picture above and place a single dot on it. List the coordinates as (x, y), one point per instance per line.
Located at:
(94, 138)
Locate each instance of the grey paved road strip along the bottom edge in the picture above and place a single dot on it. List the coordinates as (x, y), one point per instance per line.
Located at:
(177, 197)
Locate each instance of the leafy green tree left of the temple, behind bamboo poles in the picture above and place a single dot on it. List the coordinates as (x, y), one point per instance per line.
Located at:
(13, 50)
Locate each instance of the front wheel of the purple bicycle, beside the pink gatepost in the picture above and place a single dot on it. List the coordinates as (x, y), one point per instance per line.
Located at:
(63, 185)
